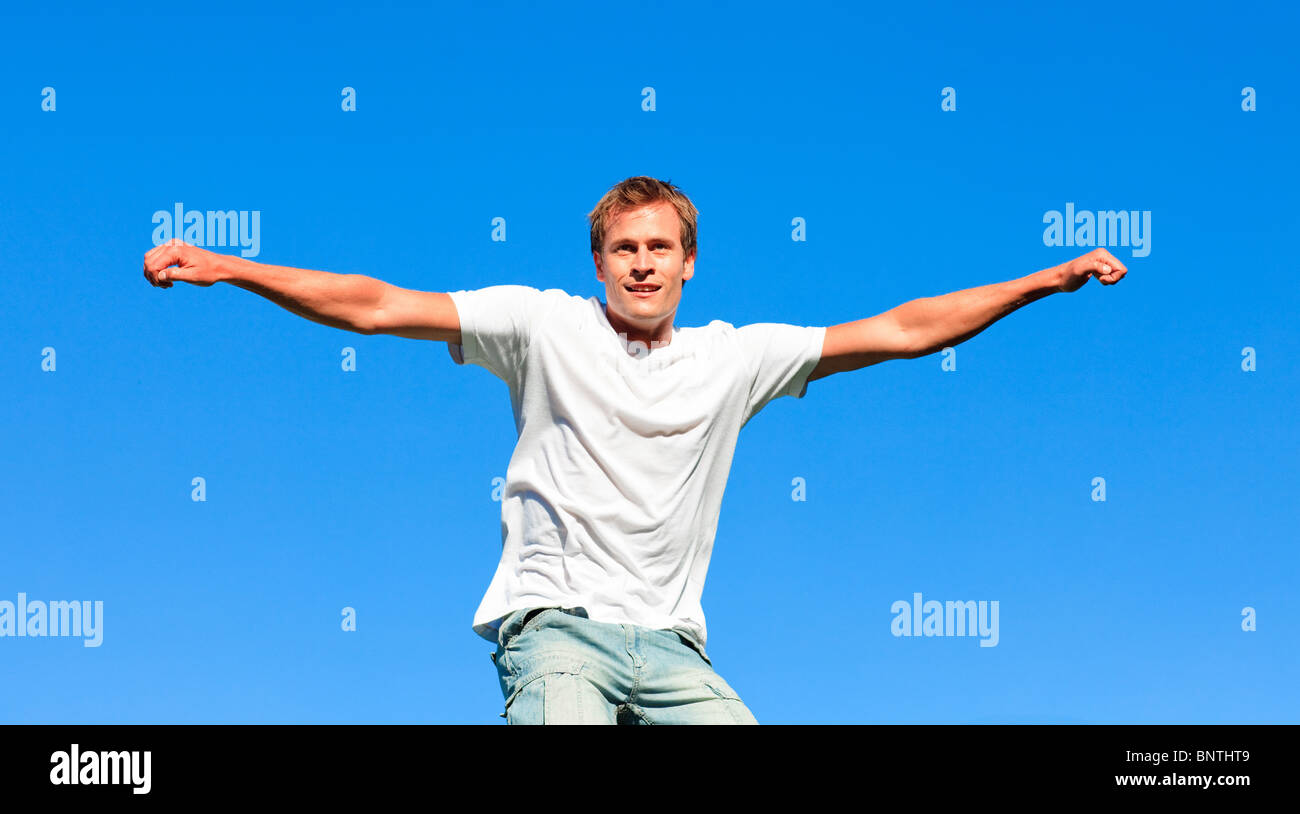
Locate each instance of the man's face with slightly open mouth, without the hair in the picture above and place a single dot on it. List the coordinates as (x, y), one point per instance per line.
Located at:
(643, 249)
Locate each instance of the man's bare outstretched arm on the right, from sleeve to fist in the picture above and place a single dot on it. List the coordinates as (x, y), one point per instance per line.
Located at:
(930, 324)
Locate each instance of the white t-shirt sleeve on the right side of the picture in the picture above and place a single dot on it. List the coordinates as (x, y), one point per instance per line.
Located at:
(781, 360)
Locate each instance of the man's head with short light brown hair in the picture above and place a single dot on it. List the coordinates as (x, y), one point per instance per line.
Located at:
(644, 236)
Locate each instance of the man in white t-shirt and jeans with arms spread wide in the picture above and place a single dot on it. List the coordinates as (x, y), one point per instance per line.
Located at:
(627, 426)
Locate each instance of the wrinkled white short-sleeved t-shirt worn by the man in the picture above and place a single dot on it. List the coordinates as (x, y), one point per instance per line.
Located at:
(614, 490)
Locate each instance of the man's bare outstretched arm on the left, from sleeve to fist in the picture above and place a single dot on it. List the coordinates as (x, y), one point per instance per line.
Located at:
(352, 302)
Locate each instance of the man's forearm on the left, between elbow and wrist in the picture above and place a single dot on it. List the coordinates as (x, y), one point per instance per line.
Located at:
(339, 301)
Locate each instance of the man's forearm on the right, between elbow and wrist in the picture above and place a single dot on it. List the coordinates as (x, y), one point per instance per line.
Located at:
(935, 323)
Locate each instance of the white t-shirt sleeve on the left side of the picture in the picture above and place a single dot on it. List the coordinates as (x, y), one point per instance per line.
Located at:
(496, 328)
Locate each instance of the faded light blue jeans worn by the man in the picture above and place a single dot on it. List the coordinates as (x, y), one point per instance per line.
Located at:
(558, 666)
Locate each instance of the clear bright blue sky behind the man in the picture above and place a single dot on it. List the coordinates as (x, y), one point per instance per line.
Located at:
(372, 490)
